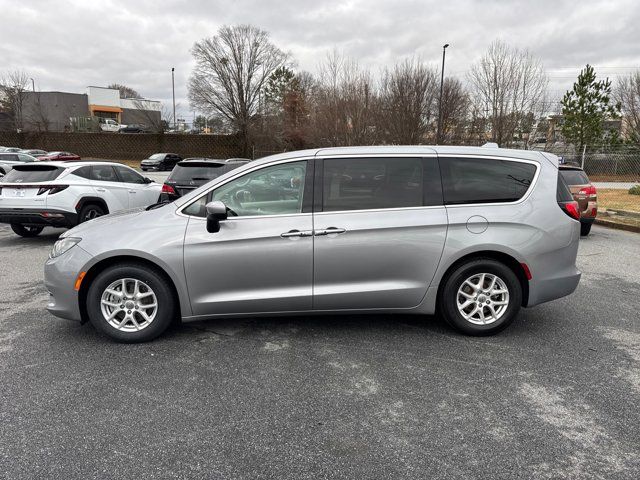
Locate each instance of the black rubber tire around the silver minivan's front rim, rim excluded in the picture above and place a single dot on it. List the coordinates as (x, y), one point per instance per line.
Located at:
(165, 300)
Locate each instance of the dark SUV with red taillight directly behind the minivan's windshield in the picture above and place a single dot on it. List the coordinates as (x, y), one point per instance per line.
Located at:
(192, 173)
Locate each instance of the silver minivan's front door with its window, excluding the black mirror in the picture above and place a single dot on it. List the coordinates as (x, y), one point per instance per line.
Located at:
(261, 260)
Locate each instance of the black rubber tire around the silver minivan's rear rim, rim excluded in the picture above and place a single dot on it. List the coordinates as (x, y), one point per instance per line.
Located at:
(448, 299)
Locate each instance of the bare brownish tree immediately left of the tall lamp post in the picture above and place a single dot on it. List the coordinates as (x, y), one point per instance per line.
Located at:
(408, 102)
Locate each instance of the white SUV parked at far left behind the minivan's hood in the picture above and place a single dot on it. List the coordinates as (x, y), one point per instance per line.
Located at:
(57, 194)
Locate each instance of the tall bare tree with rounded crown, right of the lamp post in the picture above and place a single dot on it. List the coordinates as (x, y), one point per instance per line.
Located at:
(508, 84)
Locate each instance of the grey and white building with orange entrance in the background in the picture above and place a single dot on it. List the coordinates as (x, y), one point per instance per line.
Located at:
(52, 111)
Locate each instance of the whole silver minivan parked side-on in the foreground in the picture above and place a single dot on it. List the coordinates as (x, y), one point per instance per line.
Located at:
(473, 233)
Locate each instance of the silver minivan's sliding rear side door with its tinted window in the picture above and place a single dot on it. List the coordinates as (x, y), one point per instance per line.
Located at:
(380, 234)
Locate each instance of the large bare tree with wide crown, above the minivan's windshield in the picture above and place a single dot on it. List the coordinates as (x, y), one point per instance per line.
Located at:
(231, 70)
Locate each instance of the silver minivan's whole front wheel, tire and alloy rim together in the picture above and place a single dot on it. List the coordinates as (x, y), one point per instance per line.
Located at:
(130, 303)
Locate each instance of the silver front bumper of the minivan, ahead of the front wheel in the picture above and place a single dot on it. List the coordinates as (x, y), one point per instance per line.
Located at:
(60, 275)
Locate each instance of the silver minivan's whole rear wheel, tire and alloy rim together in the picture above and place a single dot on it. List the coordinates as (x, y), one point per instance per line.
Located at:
(481, 297)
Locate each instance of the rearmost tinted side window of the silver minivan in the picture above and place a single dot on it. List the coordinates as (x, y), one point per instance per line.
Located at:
(469, 180)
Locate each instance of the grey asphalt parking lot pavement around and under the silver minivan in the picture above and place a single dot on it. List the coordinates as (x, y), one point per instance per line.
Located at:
(556, 395)
